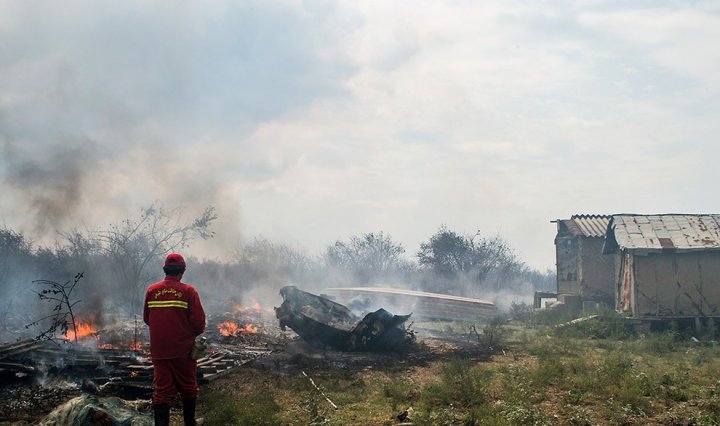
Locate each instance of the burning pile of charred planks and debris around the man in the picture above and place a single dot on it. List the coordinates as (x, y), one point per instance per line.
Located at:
(103, 361)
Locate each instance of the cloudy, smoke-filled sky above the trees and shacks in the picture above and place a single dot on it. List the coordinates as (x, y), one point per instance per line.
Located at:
(308, 122)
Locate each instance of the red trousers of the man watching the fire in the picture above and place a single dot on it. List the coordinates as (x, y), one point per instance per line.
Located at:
(173, 376)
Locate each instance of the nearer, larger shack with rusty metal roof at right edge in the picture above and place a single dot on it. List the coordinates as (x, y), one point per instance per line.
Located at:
(669, 264)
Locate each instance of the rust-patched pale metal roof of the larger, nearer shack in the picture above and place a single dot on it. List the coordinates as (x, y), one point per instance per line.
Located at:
(644, 234)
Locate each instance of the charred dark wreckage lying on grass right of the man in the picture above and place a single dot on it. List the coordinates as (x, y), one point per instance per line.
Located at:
(324, 323)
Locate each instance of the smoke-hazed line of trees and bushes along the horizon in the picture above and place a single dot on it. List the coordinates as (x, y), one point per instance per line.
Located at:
(120, 261)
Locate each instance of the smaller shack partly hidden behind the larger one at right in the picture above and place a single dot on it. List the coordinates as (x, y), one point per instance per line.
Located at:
(582, 270)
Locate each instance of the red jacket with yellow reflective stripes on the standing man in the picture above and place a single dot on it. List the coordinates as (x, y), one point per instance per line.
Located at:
(175, 316)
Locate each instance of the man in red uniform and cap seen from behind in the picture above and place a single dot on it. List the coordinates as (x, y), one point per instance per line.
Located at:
(176, 317)
